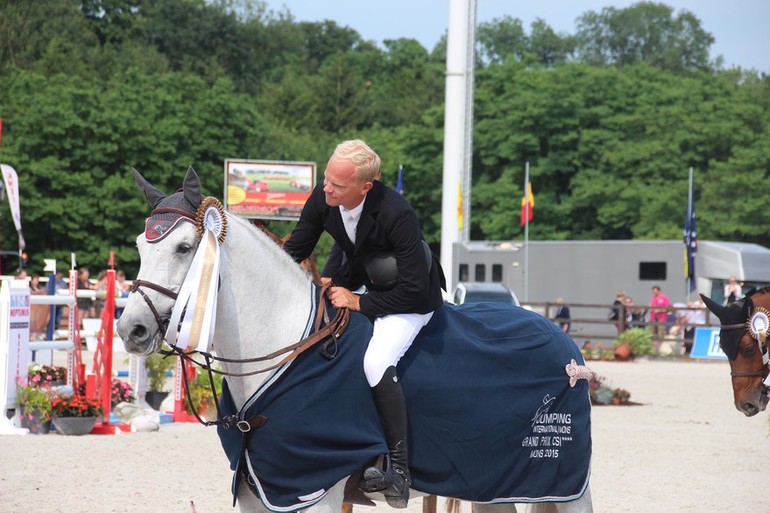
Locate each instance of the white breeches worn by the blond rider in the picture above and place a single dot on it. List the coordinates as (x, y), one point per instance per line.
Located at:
(393, 334)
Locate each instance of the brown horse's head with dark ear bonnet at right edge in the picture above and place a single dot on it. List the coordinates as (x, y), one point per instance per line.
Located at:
(743, 339)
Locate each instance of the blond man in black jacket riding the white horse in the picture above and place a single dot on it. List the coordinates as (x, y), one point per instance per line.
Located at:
(366, 219)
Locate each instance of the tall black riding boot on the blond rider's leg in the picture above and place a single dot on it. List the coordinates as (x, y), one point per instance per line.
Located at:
(394, 479)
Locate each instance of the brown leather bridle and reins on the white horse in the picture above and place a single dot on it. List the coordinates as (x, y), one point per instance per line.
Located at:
(331, 331)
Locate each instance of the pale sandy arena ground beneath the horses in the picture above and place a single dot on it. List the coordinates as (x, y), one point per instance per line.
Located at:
(685, 449)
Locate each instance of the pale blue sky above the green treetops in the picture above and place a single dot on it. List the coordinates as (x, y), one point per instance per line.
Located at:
(739, 27)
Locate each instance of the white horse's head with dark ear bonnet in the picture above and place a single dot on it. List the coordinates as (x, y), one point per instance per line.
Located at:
(166, 249)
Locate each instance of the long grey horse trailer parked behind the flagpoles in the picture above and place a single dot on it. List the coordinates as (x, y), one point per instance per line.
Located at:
(593, 271)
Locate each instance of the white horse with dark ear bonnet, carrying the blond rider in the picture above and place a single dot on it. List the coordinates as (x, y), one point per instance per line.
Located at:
(263, 304)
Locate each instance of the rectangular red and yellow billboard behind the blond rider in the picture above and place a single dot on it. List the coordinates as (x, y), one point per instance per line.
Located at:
(265, 189)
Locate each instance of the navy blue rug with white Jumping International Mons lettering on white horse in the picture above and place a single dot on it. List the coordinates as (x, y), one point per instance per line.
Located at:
(492, 415)
